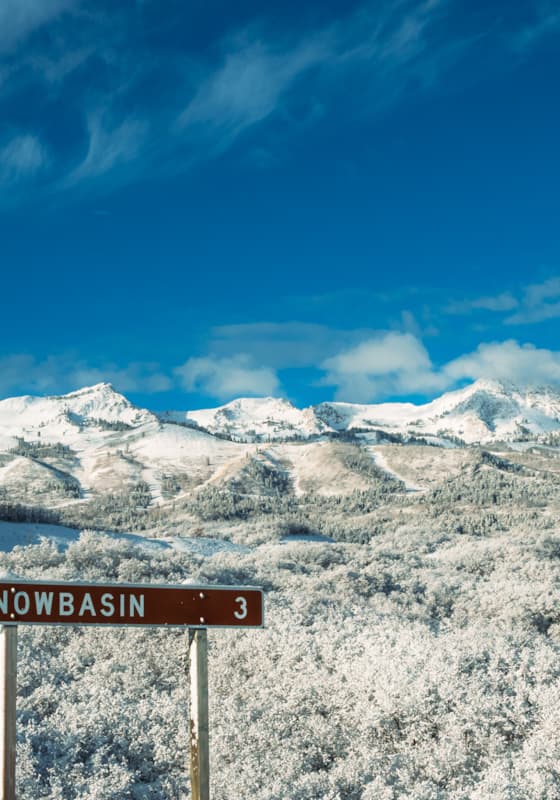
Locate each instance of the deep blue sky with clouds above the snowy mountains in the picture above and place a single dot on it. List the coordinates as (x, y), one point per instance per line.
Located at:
(321, 200)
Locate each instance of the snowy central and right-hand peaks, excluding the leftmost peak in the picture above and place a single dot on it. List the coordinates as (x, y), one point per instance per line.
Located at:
(483, 412)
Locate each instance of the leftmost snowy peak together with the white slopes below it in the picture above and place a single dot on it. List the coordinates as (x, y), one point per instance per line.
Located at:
(105, 444)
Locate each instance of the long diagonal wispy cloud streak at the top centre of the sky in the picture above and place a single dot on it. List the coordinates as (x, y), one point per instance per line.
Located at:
(392, 43)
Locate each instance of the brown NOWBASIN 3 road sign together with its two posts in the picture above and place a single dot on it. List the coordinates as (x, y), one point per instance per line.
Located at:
(148, 605)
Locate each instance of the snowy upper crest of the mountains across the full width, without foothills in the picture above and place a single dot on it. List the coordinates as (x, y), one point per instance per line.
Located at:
(484, 411)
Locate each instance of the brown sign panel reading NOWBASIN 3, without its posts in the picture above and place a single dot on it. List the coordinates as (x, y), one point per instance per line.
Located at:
(43, 603)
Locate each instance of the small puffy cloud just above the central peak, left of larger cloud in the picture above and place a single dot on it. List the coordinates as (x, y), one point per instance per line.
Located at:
(225, 378)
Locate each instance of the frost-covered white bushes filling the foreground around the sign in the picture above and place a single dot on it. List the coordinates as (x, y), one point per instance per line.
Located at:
(417, 666)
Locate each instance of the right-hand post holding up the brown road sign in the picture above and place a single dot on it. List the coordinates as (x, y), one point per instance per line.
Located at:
(199, 737)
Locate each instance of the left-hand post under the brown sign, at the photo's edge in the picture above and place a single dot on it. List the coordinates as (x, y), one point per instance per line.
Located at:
(8, 692)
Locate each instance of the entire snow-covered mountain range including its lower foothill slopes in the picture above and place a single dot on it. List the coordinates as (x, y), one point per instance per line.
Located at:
(94, 442)
